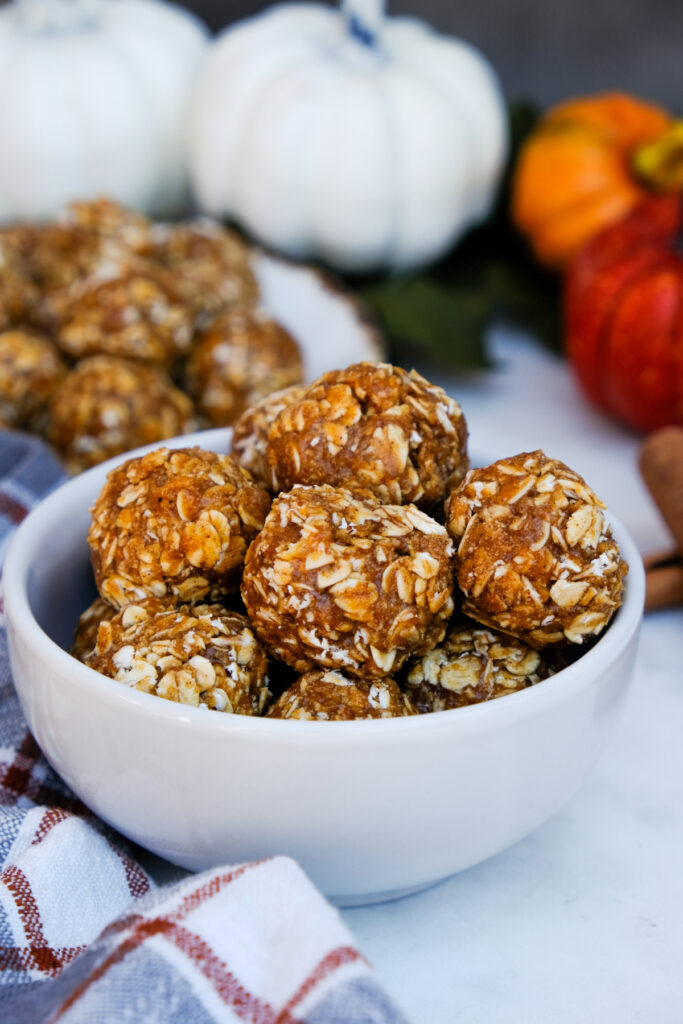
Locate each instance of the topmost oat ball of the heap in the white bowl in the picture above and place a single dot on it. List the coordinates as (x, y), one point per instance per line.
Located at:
(372, 426)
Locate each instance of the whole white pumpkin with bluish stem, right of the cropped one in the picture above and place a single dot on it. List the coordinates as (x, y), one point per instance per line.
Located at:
(341, 135)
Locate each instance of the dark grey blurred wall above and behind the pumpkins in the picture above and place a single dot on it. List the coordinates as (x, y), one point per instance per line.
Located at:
(548, 50)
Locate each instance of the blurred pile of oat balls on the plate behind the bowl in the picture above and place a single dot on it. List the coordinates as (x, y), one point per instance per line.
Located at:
(118, 332)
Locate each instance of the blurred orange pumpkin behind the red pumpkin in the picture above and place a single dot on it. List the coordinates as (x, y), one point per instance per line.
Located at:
(576, 173)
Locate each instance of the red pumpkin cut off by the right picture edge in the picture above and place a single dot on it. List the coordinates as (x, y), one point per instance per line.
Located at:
(624, 312)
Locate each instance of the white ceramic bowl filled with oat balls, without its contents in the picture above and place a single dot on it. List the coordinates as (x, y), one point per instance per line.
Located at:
(371, 809)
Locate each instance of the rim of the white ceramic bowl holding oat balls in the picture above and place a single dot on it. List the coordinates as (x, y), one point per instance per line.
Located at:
(488, 715)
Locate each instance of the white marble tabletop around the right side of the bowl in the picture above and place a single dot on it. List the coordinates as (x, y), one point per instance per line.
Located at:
(582, 921)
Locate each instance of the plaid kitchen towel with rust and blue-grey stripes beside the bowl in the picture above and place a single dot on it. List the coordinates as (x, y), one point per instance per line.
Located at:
(93, 930)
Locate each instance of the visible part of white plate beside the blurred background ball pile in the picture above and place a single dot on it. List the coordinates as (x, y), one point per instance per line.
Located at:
(330, 325)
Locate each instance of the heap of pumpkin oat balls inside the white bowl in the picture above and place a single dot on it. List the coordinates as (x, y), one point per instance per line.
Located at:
(345, 562)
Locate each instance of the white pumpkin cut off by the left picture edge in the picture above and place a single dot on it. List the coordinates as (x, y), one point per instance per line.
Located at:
(95, 98)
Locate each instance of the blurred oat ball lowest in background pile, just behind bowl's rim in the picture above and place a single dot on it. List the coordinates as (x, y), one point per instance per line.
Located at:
(107, 406)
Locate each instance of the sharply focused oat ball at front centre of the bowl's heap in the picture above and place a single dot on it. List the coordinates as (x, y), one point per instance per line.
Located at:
(334, 581)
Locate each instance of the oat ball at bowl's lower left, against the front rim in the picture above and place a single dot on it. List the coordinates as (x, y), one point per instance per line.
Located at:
(201, 656)
